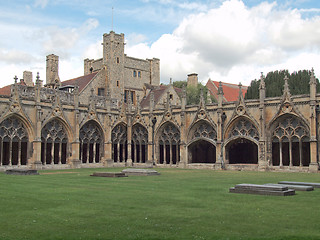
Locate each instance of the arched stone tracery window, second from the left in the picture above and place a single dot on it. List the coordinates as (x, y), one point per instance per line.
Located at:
(54, 142)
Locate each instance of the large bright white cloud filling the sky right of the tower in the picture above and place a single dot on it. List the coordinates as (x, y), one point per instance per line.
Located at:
(234, 43)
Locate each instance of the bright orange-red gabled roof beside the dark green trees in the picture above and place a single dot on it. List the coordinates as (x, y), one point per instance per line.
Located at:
(230, 91)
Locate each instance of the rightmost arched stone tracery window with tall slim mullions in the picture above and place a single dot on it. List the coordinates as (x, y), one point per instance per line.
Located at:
(290, 143)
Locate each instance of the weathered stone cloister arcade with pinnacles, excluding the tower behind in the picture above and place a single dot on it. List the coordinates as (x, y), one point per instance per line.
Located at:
(47, 128)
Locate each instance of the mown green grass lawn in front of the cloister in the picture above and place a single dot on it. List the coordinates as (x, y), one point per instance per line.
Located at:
(178, 204)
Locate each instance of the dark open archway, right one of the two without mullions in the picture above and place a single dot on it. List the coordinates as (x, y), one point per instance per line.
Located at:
(242, 151)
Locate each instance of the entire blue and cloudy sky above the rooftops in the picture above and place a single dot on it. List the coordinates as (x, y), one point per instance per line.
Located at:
(231, 41)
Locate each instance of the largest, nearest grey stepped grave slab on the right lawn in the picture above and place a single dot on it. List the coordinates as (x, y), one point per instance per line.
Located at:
(262, 190)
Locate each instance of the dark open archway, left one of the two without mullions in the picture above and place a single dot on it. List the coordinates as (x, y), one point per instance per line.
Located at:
(202, 151)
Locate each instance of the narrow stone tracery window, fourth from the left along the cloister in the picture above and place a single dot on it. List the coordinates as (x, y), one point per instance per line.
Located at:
(119, 143)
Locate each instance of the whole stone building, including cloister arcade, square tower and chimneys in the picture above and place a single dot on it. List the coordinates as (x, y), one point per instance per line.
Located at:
(118, 114)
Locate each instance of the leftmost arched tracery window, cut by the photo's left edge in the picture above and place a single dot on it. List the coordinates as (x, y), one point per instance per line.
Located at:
(13, 142)
